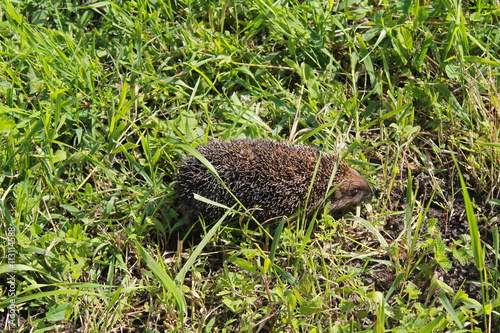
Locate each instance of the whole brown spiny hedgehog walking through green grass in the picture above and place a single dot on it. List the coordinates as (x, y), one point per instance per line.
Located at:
(270, 178)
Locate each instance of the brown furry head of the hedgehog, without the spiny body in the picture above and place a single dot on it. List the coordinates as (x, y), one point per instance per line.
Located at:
(352, 190)
